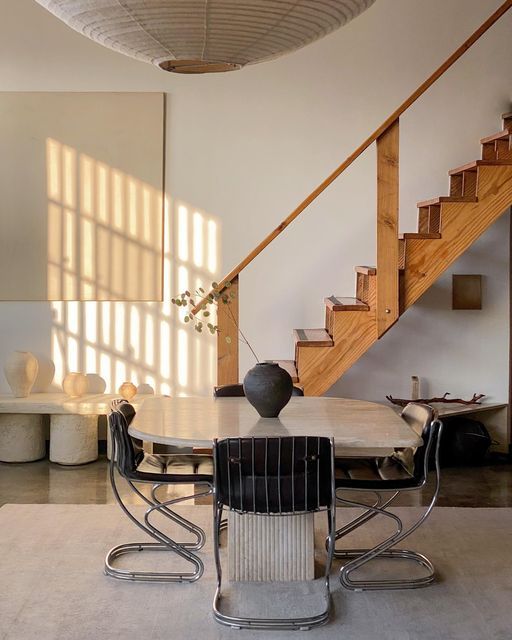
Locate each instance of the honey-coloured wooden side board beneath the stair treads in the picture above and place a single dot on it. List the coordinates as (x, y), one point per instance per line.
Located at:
(354, 332)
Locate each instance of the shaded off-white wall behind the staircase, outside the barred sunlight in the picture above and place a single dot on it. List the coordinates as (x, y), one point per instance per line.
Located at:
(246, 147)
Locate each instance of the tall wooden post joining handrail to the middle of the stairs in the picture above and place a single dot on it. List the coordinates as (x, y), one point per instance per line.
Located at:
(387, 229)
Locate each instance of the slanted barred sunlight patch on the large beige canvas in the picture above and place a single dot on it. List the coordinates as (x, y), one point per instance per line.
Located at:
(104, 230)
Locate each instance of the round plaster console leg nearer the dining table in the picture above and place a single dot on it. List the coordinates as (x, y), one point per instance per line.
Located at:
(73, 439)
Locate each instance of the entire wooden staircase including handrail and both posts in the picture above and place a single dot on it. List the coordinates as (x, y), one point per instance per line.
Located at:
(407, 264)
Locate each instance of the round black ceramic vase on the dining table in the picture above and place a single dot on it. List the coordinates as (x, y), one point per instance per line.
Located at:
(268, 388)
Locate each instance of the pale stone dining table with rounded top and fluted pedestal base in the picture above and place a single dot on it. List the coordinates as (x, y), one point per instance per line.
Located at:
(284, 546)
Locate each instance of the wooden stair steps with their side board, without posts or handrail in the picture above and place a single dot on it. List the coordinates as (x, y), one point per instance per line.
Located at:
(480, 192)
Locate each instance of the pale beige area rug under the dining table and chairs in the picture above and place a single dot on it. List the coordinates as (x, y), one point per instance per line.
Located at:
(52, 584)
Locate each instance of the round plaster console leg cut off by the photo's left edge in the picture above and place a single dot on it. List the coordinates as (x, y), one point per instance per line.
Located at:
(21, 437)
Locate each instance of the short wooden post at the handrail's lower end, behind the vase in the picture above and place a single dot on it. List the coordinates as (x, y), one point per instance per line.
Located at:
(227, 353)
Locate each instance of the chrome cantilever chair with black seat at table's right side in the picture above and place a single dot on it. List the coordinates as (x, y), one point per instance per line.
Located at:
(407, 470)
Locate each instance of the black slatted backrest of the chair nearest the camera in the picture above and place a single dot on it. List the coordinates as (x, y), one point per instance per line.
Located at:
(274, 475)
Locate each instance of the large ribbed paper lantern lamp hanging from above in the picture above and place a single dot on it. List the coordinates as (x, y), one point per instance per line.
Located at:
(195, 36)
